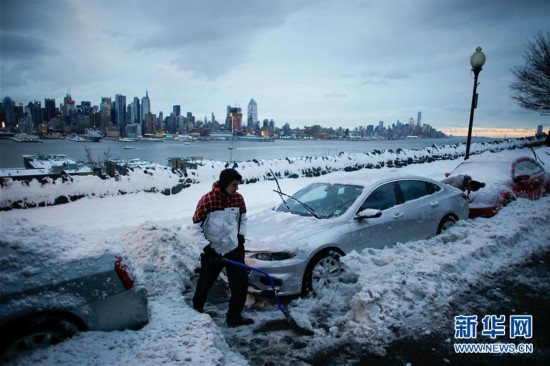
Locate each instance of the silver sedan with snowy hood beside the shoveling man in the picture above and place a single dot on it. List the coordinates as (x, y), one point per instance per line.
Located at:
(300, 242)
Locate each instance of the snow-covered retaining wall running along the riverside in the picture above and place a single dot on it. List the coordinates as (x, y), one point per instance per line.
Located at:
(29, 194)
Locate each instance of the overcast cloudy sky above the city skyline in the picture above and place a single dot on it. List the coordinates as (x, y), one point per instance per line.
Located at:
(334, 63)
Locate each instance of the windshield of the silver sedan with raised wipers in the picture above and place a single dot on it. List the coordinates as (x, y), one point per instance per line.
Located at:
(326, 200)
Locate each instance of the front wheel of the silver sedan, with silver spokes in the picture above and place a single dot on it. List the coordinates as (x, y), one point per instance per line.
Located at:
(323, 270)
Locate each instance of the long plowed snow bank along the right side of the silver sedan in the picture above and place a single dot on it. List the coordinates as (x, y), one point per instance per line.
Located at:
(407, 288)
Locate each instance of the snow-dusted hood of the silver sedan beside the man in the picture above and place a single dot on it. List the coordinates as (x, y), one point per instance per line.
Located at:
(271, 230)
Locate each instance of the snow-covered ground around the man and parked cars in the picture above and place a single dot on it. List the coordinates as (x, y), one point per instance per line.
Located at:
(394, 292)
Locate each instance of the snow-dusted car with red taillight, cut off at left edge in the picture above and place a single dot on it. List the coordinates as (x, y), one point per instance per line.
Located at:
(45, 298)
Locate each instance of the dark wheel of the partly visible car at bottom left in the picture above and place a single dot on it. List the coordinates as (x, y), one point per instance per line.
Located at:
(37, 333)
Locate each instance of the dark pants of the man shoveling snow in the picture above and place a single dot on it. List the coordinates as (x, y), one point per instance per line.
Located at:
(237, 277)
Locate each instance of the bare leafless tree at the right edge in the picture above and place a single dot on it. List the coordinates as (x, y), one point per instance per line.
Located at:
(531, 85)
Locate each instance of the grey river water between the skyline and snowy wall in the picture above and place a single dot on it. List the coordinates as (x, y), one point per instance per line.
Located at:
(158, 152)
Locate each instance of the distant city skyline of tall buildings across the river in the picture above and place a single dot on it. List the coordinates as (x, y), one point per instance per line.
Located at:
(132, 113)
